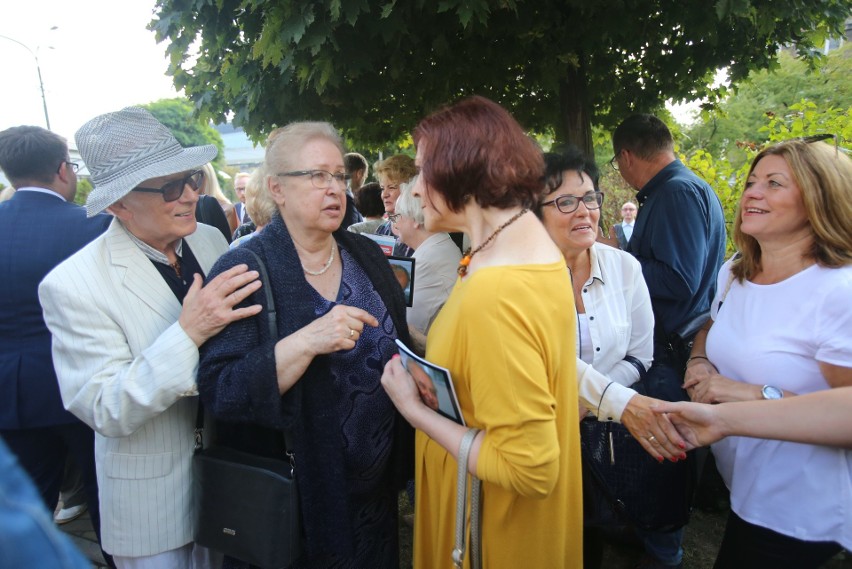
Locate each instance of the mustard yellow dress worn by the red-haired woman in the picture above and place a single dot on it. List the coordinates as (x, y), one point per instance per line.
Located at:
(507, 336)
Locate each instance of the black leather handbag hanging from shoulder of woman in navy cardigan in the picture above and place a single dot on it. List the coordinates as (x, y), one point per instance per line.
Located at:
(247, 506)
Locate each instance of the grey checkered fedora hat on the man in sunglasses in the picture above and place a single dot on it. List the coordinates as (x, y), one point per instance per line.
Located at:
(127, 147)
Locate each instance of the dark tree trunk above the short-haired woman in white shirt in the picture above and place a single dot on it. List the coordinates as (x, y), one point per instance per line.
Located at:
(575, 124)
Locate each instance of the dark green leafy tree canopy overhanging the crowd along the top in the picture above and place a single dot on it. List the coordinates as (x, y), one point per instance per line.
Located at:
(375, 67)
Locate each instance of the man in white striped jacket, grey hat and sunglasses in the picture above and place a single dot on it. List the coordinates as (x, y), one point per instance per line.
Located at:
(128, 314)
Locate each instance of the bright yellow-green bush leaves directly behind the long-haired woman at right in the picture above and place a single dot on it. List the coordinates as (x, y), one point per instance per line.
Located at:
(800, 119)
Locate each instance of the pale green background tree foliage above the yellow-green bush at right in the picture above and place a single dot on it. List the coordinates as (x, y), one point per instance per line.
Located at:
(741, 117)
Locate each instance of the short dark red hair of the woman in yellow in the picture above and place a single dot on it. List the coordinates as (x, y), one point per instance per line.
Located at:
(475, 148)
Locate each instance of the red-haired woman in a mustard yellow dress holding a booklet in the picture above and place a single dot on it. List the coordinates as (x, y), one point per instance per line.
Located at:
(506, 333)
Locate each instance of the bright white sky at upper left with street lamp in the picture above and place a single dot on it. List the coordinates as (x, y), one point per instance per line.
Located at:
(100, 58)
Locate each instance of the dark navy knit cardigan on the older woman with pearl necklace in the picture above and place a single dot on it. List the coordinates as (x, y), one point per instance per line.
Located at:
(238, 384)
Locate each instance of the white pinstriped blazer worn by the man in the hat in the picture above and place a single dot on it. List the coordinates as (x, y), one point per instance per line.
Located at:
(126, 368)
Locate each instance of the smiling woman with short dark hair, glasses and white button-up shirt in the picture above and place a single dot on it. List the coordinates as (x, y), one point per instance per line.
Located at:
(615, 323)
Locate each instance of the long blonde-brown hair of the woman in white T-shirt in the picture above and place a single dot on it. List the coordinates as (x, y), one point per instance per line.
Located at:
(822, 174)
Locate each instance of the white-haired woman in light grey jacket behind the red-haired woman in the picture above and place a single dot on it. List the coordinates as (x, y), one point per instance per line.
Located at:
(437, 259)
